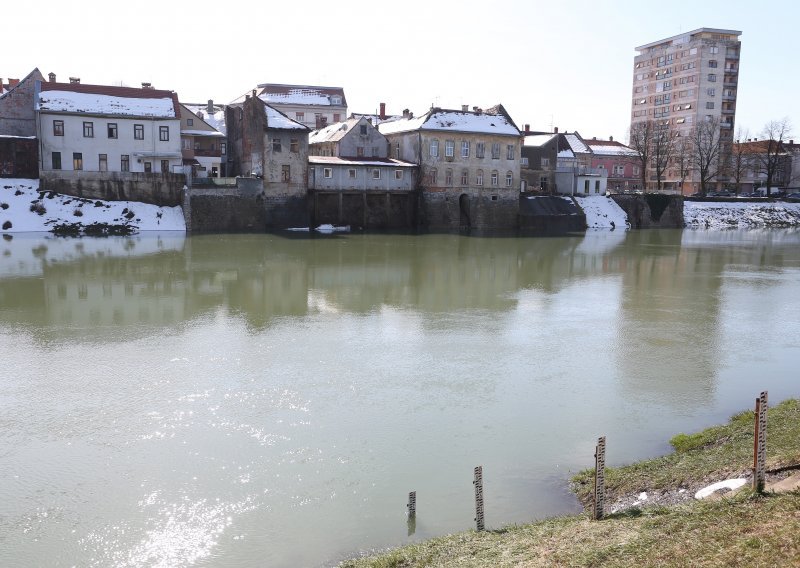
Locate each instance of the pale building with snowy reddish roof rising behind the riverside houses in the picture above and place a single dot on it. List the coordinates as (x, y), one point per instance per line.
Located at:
(312, 106)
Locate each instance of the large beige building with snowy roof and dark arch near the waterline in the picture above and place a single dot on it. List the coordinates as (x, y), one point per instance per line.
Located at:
(469, 165)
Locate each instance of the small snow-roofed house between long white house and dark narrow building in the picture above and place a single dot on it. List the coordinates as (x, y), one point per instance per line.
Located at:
(203, 147)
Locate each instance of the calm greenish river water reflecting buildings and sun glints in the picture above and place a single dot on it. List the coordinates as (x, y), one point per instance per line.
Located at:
(245, 400)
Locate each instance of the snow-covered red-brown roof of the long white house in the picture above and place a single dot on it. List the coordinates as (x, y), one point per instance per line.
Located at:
(102, 99)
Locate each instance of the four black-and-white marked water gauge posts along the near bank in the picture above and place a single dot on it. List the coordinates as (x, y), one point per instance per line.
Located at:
(598, 510)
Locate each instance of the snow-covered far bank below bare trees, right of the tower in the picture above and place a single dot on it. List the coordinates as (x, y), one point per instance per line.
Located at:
(703, 214)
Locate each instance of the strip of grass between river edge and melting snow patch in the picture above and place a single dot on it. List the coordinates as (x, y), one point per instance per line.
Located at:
(710, 455)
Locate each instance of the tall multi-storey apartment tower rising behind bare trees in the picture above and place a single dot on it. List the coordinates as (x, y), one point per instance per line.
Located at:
(684, 79)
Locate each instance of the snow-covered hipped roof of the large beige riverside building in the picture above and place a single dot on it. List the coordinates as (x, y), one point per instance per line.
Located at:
(456, 121)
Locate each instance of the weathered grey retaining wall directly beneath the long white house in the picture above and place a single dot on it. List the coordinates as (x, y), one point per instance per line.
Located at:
(158, 189)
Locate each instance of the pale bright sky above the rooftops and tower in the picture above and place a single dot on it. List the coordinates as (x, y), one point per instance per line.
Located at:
(566, 64)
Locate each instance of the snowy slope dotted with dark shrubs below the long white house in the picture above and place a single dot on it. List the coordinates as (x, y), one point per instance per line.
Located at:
(18, 196)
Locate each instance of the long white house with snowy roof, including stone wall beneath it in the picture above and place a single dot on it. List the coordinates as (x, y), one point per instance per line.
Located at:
(109, 142)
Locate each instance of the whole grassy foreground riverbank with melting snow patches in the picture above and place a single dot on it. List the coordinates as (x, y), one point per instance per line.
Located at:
(743, 530)
